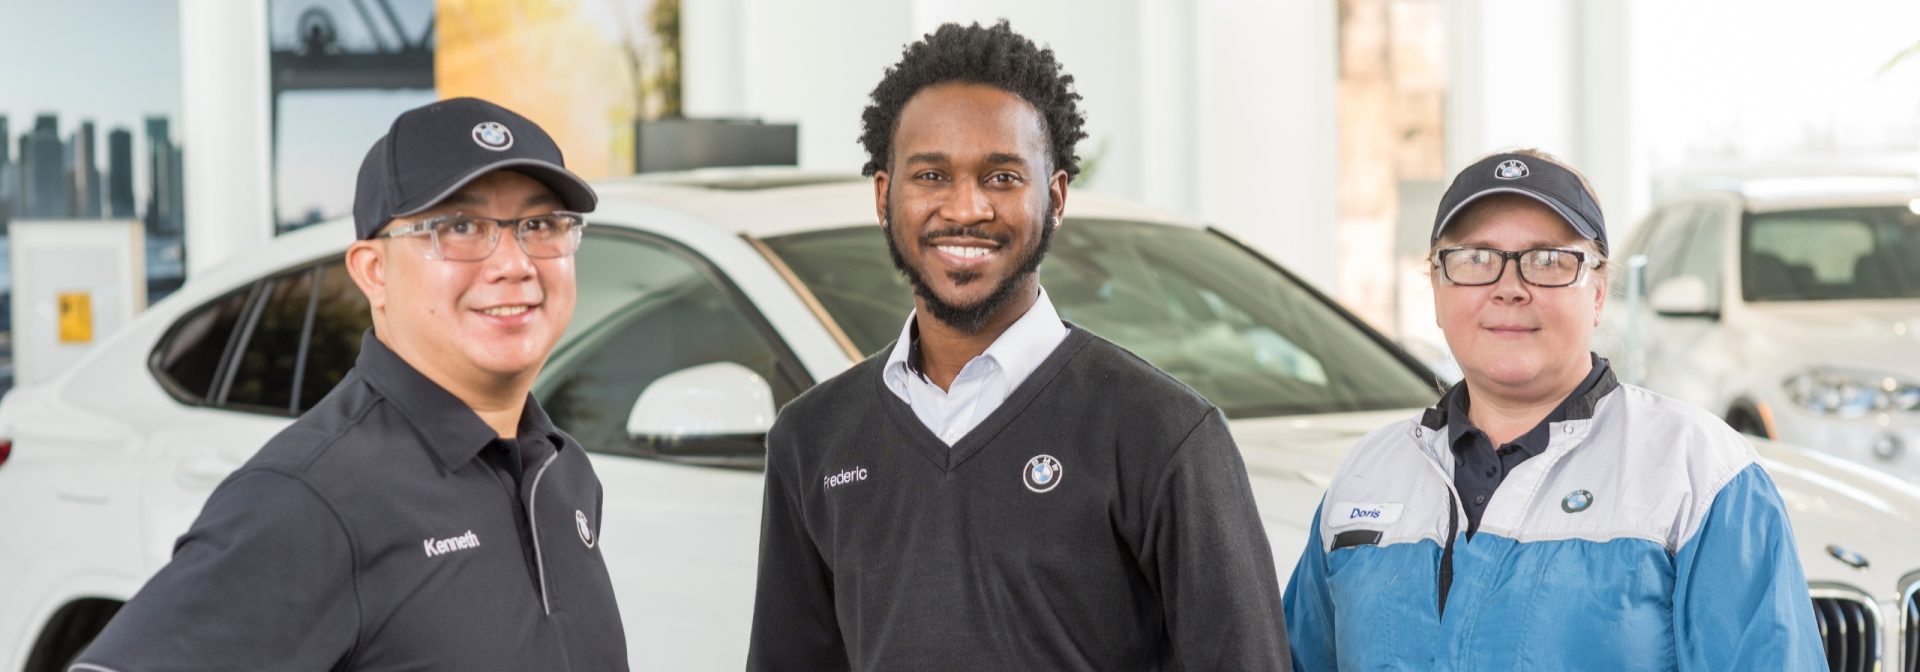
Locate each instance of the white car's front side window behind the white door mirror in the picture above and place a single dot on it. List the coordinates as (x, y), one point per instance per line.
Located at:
(644, 310)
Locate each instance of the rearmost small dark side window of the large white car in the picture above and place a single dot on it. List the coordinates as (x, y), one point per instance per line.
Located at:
(191, 354)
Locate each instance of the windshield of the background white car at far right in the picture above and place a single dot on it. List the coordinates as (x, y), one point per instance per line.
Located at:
(1831, 254)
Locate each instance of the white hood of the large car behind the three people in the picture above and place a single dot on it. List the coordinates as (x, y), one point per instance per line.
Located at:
(1291, 460)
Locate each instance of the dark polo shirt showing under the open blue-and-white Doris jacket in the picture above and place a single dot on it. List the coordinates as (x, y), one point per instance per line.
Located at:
(1479, 468)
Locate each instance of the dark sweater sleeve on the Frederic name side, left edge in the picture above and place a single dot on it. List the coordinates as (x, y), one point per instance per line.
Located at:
(794, 619)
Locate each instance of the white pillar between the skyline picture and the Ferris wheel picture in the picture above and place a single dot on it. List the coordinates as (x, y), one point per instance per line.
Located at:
(226, 130)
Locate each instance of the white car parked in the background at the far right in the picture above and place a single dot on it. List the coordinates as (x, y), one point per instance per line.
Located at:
(1790, 308)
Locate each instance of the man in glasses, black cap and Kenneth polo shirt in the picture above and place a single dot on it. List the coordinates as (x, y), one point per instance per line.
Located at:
(425, 516)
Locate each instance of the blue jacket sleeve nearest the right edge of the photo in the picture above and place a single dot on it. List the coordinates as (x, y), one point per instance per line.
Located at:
(1740, 594)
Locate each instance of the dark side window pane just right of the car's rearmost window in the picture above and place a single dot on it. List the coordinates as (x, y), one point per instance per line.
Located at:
(270, 358)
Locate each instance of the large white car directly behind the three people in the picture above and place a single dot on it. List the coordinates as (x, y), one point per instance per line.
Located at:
(704, 302)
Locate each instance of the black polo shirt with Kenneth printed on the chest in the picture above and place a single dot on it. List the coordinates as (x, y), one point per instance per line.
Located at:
(389, 529)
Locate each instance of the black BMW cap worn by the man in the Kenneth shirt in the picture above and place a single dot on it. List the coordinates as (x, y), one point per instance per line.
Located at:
(435, 151)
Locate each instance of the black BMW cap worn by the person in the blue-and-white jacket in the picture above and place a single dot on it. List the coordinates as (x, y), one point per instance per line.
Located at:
(1525, 176)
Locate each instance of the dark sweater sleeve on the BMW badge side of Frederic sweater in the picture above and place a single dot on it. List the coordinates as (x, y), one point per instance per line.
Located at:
(1211, 558)
